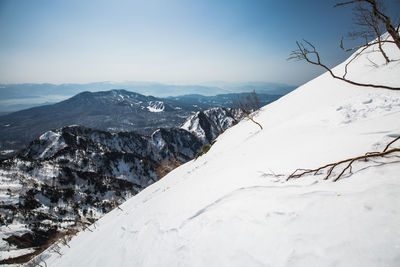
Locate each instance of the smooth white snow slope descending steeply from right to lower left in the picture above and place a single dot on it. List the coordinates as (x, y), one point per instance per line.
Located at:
(227, 208)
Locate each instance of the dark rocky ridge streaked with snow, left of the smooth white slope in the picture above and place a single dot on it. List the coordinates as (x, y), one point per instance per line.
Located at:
(69, 177)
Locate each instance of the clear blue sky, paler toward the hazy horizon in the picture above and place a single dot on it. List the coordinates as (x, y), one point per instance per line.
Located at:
(174, 41)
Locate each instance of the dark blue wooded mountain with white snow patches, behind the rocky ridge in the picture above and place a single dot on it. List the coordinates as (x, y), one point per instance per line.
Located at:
(114, 111)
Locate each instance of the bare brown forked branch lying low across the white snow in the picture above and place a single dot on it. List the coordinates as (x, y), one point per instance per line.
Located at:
(349, 162)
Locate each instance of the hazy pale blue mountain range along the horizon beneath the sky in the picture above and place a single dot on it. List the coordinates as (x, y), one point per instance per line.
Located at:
(14, 97)
